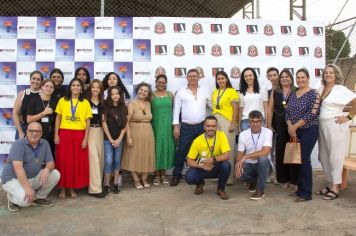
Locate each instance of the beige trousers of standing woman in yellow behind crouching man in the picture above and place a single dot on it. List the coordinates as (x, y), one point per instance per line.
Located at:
(224, 125)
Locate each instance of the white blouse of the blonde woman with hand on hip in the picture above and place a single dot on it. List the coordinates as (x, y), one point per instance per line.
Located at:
(334, 104)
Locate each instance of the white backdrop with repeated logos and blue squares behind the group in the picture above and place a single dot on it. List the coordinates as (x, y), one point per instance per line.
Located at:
(138, 48)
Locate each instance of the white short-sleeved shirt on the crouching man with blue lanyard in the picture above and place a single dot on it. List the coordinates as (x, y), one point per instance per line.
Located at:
(249, 145)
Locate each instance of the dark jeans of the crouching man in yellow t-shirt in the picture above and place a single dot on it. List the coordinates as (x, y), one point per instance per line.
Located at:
(221, 170)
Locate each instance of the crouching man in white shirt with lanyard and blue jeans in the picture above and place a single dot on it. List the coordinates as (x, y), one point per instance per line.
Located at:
(254, 149)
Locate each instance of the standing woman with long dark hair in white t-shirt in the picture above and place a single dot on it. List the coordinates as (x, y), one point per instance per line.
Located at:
(252, 97)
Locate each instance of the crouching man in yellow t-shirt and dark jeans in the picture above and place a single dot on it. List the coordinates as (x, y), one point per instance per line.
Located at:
(208, 158)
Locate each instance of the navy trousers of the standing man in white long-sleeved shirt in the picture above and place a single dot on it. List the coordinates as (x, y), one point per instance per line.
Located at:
(187, 134)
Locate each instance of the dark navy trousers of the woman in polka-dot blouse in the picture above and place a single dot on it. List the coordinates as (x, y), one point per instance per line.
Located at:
(307, 138)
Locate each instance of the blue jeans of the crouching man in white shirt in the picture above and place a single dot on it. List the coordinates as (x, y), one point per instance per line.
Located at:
(256, 172)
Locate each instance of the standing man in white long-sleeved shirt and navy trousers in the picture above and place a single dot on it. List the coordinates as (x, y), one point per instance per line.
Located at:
(190, 103)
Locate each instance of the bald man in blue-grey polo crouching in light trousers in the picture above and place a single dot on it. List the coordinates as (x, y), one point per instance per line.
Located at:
(23, 179)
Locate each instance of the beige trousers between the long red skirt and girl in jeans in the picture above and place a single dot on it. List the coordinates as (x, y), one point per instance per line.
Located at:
(96, 159)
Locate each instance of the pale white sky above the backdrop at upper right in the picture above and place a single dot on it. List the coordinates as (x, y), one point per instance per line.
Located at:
(317, 10)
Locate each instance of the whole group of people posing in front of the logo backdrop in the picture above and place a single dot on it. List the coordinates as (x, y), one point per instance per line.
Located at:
(91, 131)
